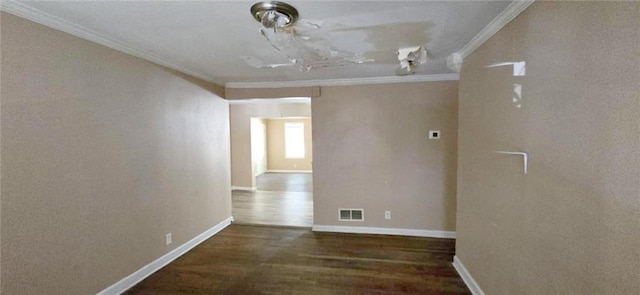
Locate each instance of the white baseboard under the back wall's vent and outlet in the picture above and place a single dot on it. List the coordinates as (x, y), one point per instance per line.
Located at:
(385, 231)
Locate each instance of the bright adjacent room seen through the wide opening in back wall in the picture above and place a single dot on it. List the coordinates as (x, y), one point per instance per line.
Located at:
(279, 190)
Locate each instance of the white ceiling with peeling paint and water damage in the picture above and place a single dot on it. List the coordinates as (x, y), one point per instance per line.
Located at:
(210, 38)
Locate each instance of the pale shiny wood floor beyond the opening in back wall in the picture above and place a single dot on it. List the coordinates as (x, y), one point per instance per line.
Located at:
(282, 199)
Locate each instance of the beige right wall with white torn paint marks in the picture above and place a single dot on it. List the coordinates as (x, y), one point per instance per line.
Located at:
(572, 224)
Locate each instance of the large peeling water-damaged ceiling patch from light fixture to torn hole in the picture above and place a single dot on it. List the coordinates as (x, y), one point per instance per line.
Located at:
(309, 43)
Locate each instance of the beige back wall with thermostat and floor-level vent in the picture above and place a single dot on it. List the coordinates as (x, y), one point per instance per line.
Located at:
(371, 151)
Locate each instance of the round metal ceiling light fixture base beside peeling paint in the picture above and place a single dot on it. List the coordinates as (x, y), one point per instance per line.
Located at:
(274, 14)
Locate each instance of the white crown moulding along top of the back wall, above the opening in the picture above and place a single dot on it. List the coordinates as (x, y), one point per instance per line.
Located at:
(345, 82)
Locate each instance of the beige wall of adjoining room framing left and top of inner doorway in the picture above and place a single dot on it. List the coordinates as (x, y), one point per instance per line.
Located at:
(240, 116)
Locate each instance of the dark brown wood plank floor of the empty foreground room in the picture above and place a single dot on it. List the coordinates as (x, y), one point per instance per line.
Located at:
(245, 259)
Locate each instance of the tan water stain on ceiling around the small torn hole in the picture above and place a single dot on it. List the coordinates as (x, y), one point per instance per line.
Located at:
(386, 39)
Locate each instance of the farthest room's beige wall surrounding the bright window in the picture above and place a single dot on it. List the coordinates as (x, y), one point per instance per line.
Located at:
(276, 151)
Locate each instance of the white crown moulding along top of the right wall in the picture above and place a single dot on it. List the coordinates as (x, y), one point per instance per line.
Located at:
(507, 15)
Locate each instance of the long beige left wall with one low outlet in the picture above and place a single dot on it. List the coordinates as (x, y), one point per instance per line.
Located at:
(103, 154)
